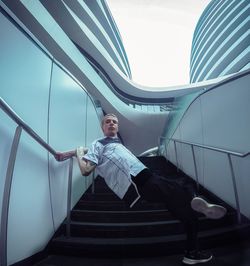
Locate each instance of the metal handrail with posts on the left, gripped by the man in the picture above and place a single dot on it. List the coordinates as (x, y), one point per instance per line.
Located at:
(8, 180)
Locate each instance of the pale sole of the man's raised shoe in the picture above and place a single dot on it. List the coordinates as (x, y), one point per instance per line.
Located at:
(211, 211)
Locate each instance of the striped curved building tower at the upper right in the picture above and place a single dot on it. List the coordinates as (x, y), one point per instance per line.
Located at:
(221, 40)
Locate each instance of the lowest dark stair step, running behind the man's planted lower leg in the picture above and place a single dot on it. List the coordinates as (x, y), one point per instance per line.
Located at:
(138, 246)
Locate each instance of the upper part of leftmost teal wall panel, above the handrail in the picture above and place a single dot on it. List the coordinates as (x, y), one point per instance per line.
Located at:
(24, 82)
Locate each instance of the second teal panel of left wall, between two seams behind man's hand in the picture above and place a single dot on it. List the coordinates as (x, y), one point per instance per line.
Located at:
(66, 131)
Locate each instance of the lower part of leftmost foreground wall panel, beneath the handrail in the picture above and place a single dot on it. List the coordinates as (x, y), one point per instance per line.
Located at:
(30, 216)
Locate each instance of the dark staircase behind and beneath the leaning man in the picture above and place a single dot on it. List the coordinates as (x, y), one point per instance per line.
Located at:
(102, 225)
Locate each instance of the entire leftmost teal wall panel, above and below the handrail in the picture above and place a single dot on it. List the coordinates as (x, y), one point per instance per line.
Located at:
(25, 78)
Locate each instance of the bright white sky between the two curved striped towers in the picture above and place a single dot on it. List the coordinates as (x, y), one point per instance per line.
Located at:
(157, 36)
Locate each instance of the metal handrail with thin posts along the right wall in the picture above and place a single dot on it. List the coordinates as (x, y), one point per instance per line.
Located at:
(227, 152)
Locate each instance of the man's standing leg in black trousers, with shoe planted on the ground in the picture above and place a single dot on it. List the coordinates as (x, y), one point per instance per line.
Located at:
(177, 200)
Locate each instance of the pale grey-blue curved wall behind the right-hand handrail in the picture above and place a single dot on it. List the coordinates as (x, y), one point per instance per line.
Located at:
(218, 118)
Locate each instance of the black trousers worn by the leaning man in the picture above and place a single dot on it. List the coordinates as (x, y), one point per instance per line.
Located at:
(155, 188)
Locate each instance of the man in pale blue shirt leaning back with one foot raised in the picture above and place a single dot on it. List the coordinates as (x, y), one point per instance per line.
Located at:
(131, 180)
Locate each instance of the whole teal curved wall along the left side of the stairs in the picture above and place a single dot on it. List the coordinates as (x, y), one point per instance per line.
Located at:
(55, 107)
